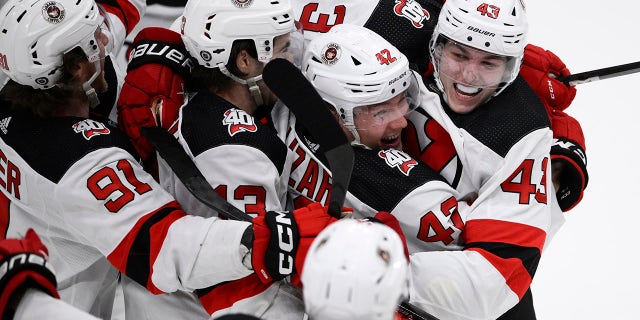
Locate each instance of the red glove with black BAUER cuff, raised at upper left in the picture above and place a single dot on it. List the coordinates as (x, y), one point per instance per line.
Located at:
(153, 89)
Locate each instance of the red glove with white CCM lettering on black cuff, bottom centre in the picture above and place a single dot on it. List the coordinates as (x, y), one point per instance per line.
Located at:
(283, 238)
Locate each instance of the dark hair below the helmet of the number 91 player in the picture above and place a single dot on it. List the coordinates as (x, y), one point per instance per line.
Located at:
(42, 103)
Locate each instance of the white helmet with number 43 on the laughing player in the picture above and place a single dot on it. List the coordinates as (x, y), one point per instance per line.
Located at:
(499, 27)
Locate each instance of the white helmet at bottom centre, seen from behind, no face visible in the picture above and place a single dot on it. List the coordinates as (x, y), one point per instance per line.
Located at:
(355, 270)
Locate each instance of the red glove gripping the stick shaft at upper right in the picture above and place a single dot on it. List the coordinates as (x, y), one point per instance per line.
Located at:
(540, 68)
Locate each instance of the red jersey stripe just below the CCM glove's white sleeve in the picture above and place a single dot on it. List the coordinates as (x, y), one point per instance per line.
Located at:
(225, 295)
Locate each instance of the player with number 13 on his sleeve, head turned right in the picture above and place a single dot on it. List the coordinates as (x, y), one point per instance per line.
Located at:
(242, 158)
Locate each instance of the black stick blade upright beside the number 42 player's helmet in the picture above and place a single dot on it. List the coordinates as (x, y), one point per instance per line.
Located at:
(292, 88)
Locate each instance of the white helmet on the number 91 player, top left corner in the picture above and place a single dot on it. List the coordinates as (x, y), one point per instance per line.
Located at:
(34, 35)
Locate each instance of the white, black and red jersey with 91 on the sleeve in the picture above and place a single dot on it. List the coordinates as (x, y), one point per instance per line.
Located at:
(77, 184)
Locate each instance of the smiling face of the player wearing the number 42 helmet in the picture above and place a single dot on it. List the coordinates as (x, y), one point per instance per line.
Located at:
(379, 125)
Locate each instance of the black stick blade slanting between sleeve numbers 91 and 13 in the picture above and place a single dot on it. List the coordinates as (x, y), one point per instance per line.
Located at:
(184, 168)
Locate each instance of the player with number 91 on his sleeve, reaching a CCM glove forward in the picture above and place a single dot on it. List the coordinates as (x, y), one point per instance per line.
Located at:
(77, 181)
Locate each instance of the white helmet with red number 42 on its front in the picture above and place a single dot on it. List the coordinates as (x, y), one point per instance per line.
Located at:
(351, 66)
